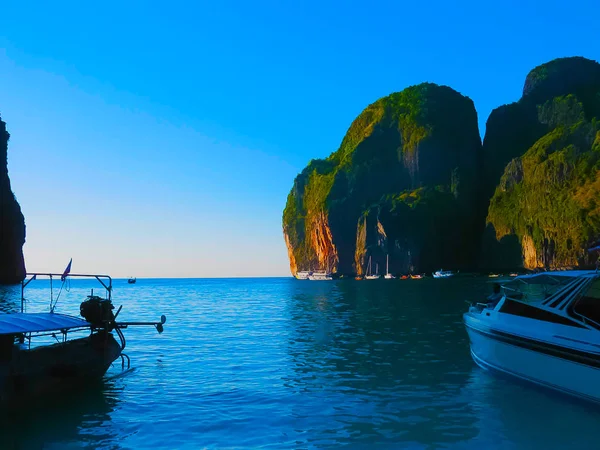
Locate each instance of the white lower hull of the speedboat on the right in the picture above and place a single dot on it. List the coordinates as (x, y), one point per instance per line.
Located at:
(540, 363)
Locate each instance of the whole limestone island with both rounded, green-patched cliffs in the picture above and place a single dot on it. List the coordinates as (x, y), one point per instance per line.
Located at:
(413, 184)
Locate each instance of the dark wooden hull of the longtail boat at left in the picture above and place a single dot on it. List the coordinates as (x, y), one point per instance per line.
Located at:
(33, 373)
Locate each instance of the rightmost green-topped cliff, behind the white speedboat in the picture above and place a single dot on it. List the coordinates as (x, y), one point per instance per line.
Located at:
(542, 165)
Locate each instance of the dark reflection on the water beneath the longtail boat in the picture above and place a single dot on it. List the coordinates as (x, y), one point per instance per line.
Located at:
(83, 416)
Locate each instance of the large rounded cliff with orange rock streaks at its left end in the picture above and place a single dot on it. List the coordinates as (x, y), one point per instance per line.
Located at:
(403, 183)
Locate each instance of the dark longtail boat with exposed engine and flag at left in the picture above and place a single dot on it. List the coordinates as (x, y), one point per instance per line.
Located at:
(38, 356)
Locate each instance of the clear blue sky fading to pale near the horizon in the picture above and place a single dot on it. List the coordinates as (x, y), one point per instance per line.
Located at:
(162, 138)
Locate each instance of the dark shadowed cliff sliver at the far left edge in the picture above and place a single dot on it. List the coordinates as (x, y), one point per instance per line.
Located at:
(12, 223)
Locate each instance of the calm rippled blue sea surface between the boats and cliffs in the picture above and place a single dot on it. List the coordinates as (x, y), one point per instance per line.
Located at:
(281, 363)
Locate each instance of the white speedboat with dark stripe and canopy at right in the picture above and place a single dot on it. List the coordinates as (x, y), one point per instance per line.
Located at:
(544, 328)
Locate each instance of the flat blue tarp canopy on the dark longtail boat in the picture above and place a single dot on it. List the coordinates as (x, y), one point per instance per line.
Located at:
(37, 322)
